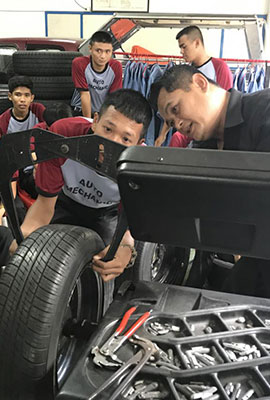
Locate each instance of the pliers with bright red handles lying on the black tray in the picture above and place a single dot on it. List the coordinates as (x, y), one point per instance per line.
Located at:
(105, 355)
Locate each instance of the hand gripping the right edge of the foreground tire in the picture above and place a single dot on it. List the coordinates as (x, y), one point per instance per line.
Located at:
(111, 269)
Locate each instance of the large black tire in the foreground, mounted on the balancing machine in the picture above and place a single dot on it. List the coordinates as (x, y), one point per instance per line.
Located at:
(47, 284)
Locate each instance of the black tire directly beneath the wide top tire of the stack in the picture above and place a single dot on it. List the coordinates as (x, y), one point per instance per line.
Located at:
(53, 87)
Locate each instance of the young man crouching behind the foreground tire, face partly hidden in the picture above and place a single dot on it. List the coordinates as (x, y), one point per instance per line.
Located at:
(72, 193)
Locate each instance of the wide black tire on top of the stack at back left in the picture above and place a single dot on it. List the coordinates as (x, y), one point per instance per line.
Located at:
(44, 63)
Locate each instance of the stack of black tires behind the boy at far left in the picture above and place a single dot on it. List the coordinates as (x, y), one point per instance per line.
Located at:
(50, 72)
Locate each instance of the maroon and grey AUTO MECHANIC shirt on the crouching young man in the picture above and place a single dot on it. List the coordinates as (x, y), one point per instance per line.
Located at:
(80, 183)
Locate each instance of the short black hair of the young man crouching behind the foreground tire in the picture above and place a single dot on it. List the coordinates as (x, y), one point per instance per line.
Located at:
(131, 104)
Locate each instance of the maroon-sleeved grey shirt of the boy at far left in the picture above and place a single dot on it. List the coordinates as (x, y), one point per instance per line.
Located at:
(9, 123)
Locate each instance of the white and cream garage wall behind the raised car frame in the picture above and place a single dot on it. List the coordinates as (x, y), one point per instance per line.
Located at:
(64, 18)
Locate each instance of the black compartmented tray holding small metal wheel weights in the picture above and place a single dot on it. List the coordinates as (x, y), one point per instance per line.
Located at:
(229, 319)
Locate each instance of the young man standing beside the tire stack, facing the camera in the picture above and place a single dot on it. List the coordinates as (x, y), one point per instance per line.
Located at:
(96, 76)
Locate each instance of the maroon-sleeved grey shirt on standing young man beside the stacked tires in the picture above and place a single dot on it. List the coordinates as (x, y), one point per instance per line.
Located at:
(98, 83)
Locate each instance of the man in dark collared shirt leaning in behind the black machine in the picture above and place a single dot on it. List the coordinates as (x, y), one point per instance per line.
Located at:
(219, 119)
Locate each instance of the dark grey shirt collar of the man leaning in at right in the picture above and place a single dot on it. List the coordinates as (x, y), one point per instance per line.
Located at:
(234, 111)
